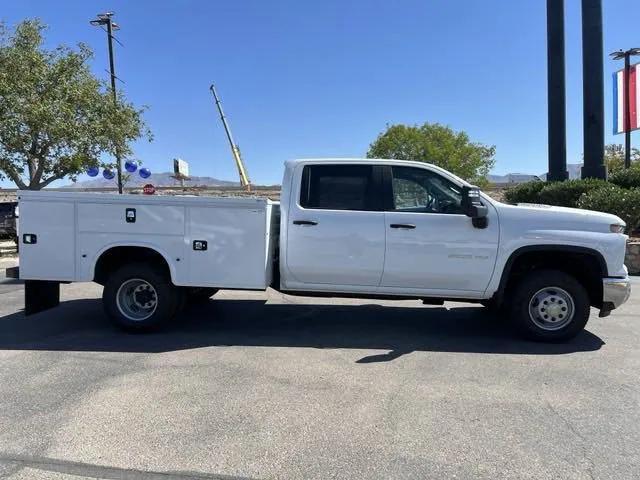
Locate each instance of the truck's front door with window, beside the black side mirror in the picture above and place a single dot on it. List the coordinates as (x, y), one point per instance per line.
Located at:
(431, 246)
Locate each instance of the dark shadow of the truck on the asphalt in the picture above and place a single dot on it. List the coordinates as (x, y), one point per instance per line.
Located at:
(80, 325)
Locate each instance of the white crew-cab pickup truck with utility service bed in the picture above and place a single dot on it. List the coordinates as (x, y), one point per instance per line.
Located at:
(361, 228)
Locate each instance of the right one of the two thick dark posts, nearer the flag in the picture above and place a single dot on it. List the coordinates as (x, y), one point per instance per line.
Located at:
(593, 90)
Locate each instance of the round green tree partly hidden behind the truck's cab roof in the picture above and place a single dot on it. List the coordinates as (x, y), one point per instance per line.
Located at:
(437, 144)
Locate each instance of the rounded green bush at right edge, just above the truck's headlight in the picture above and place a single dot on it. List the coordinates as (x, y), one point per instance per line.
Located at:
(625, 203)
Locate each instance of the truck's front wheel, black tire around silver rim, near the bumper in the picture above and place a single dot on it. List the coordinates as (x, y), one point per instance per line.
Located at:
(562, 292)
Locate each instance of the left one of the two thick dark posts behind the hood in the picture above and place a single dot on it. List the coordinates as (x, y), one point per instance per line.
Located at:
(556, 97)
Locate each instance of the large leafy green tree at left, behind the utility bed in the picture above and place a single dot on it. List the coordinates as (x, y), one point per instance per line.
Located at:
(56, 117)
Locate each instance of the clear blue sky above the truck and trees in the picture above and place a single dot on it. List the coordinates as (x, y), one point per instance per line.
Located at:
(323, 78)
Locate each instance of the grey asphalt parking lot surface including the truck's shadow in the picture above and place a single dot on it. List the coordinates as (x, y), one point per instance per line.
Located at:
(261, 385)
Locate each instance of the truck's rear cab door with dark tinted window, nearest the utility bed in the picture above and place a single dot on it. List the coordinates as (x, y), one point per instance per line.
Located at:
(336, 231)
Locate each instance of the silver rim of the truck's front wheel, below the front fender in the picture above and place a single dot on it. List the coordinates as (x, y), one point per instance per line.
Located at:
(551, 308)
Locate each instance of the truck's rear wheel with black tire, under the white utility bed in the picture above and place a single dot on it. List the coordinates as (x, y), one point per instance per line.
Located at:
(157, 288)
